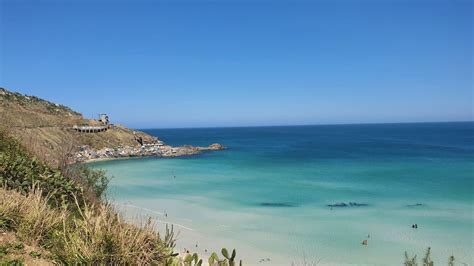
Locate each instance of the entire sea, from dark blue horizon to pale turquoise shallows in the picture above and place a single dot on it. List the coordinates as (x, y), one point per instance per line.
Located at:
(267, 194)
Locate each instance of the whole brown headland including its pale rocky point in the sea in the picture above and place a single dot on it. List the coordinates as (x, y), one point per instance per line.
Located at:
(47, 130)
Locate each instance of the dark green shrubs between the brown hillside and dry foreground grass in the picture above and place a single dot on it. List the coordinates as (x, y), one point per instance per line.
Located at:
(21, 171)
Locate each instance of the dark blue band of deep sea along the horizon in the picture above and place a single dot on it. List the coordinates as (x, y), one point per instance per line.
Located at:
(365, 141)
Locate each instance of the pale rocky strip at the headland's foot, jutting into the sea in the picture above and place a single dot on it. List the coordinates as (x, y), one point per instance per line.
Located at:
(158, 149)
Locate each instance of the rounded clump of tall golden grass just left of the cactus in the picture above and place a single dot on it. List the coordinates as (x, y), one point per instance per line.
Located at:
(99, 235)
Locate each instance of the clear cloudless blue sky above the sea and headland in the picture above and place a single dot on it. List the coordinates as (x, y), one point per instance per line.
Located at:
(243, 63)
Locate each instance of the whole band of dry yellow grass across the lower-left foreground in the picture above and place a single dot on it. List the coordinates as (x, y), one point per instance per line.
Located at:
(95, 235)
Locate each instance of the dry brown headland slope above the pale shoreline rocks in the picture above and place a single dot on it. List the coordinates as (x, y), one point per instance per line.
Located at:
(45, 128)
